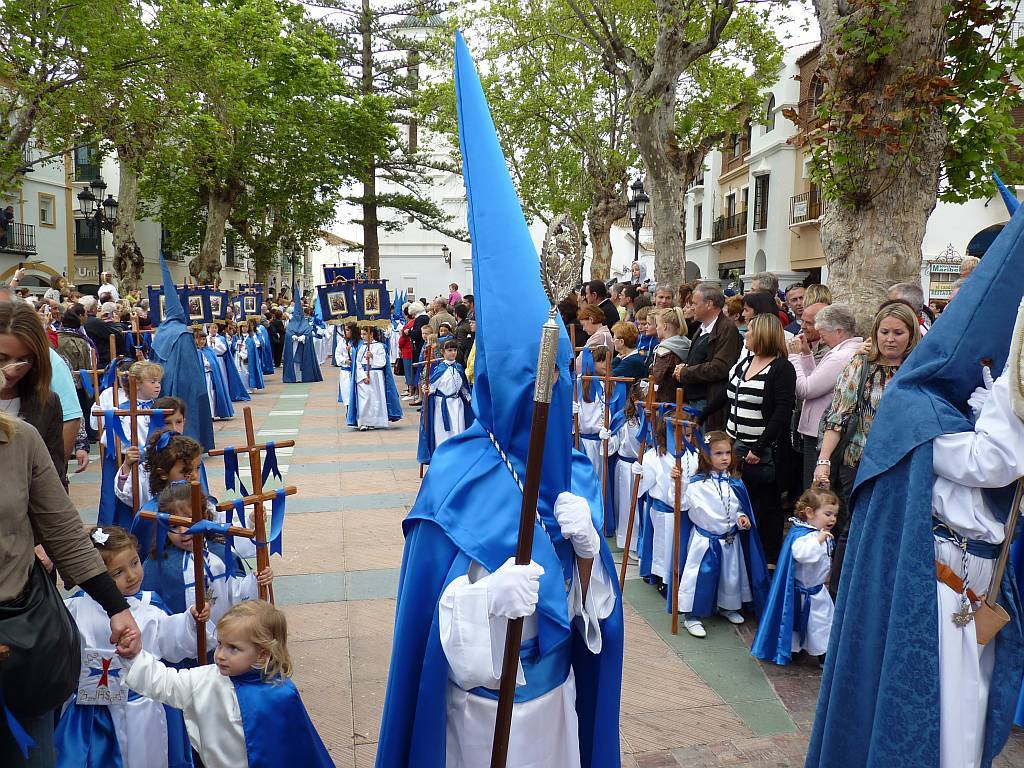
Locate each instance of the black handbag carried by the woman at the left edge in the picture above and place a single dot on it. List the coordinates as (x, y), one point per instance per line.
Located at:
(41, 669)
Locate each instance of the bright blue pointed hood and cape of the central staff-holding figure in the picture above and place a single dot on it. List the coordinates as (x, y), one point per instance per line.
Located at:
(468, 505)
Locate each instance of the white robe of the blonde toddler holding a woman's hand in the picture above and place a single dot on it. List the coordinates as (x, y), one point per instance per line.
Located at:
(208, 702)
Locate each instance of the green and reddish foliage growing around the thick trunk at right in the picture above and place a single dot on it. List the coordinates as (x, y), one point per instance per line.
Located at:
(868, 136)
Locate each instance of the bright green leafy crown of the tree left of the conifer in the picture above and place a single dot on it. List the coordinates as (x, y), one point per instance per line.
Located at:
(265, 119)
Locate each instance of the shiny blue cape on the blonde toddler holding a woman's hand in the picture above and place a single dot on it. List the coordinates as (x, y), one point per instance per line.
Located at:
(278, 730)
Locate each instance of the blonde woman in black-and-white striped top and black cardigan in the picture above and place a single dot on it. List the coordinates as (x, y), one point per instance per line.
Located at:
(760, 396)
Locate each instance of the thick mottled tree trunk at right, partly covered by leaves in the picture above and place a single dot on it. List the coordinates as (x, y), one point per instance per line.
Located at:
(873, 239)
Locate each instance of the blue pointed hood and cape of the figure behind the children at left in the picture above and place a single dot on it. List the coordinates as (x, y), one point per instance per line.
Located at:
(175, 349)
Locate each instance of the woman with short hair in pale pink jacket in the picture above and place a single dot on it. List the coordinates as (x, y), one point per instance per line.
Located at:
(837, 327)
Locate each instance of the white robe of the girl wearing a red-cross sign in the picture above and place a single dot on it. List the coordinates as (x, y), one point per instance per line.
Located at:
(141, 726)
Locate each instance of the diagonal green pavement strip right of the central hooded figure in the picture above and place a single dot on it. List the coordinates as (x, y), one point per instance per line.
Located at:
(722, 661)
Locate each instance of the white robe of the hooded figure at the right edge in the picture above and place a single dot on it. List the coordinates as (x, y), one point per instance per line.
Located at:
(965, 463)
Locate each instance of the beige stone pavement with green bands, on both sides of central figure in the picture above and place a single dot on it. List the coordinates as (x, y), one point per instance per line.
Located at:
(686, 702)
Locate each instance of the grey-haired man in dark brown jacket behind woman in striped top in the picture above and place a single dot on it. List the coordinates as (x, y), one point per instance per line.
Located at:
(714, 352)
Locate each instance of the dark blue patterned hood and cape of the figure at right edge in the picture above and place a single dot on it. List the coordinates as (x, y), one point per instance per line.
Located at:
(882, 666)
